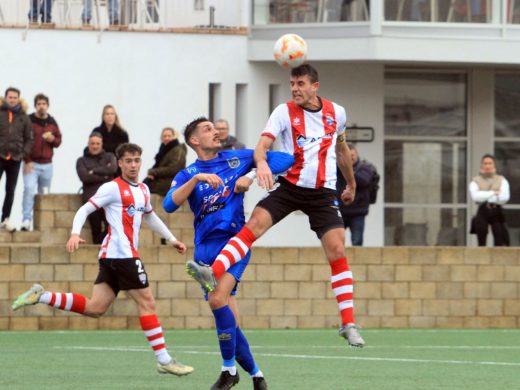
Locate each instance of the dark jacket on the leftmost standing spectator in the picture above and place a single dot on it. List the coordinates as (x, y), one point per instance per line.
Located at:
(16, 135)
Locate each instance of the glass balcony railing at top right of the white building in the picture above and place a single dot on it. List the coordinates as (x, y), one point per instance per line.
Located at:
(268, 12)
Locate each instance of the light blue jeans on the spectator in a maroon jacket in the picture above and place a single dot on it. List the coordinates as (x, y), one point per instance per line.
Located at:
(33, 182)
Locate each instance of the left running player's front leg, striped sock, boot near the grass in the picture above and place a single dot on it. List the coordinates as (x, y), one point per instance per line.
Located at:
(153, 331)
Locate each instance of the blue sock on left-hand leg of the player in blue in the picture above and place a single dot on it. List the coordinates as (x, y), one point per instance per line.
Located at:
(226, 332)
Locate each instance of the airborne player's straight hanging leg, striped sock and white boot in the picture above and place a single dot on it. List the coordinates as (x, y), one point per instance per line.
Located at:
(333, 242)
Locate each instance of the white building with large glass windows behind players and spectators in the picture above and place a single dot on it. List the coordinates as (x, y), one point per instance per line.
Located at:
(438, 81)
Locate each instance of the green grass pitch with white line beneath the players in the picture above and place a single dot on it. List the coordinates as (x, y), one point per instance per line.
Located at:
(291, 359)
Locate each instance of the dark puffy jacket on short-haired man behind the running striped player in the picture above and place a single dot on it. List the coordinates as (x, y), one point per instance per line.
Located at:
(94, 170)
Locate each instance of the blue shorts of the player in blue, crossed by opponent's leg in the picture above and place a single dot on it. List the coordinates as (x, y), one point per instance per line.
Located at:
(207, 251)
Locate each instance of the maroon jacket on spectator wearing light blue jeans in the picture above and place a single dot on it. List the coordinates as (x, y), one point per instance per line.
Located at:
(42, 151)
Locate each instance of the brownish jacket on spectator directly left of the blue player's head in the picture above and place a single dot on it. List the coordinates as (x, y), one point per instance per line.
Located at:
(166, 168)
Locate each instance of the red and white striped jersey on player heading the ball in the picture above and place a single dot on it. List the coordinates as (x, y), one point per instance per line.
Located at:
(311, 137)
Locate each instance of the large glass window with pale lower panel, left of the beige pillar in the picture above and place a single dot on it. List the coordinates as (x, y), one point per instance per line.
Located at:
(425, 158)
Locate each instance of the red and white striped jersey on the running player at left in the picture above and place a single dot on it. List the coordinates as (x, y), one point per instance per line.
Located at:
(124, 204)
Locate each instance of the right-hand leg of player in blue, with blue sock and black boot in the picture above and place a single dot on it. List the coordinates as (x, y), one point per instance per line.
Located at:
(243, 353)
